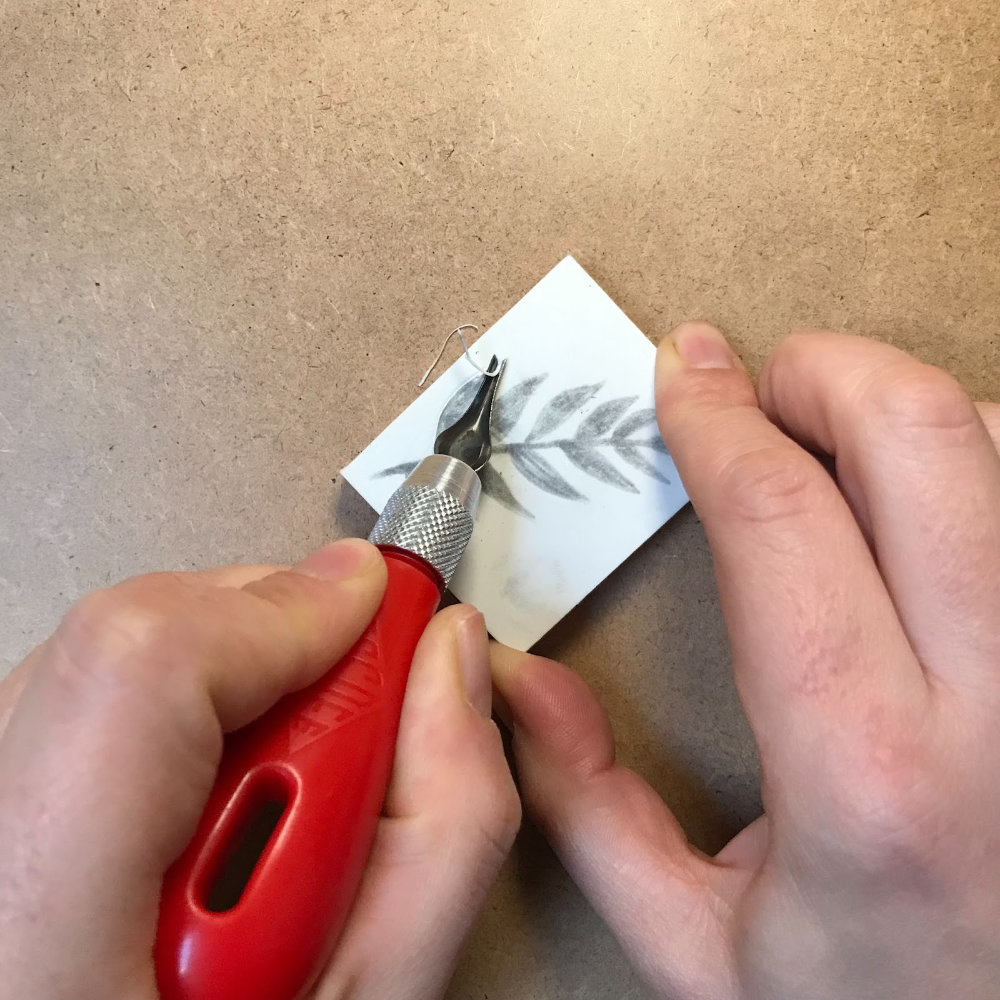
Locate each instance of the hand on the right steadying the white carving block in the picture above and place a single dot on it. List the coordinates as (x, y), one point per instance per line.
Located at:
(864, 619)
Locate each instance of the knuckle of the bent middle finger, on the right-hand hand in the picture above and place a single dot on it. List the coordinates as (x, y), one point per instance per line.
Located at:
(917, 401)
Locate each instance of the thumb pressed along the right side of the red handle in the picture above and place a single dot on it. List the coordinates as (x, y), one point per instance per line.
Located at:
(449, 819)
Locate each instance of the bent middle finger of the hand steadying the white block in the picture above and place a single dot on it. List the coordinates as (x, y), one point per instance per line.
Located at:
(915, 456)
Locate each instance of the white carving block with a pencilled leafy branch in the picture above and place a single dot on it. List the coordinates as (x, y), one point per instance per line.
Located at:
(579, 478)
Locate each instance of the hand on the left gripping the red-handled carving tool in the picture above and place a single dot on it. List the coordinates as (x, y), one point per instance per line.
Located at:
(111, 731)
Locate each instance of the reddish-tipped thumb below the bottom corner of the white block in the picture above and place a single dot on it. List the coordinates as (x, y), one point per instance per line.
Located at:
(668, 905)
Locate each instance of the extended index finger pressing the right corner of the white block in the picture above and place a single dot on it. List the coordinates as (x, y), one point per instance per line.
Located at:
(818, 650)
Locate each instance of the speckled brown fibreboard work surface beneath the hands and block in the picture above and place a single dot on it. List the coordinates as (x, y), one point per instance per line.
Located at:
(234, 234)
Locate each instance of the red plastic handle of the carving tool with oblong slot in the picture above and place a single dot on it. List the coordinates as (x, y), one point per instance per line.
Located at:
(320, 760)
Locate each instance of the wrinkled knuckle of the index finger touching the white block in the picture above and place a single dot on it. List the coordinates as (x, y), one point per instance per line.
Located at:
(770, 483)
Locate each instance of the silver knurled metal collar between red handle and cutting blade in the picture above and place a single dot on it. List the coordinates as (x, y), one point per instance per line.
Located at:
(432, 513)
